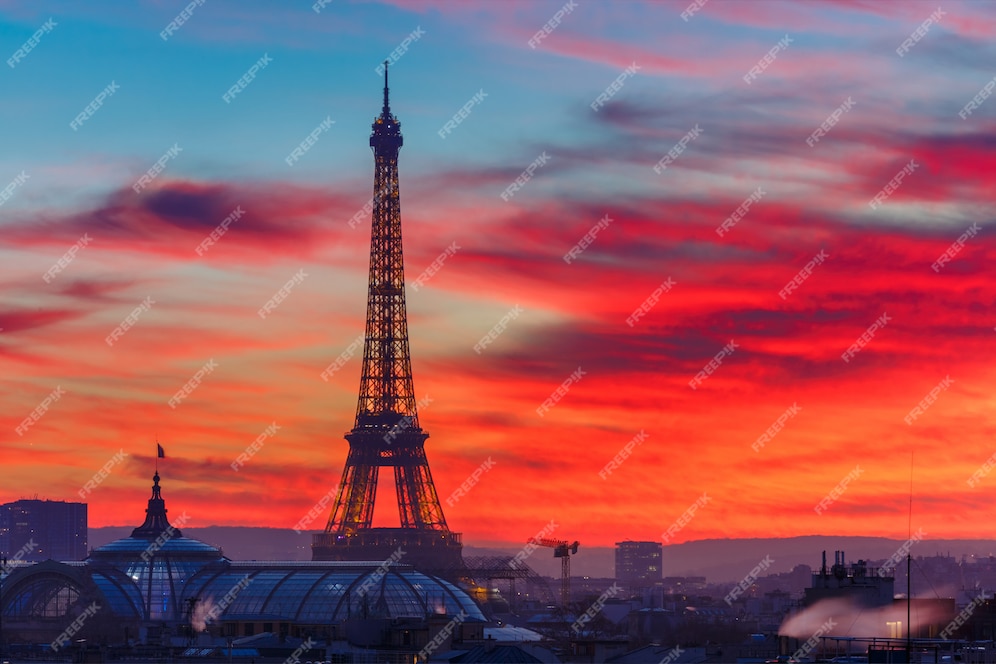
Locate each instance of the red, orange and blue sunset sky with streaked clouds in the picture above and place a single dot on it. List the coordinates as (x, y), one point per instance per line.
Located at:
(64, 186)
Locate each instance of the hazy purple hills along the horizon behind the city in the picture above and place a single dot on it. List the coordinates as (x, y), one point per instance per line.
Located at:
(718, 560)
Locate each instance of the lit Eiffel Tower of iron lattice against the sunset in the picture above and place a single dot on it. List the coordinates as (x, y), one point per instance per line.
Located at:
(387, 431)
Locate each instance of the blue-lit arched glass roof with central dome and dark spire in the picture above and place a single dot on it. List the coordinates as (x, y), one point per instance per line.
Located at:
(159, 576)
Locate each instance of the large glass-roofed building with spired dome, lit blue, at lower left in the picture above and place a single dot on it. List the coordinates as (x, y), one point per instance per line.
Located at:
(159, 587)
